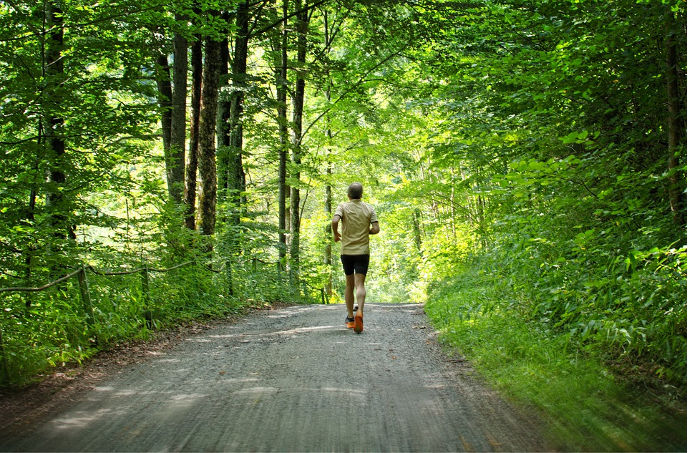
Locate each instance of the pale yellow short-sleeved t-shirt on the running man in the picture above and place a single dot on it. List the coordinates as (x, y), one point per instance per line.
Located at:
(356, 219)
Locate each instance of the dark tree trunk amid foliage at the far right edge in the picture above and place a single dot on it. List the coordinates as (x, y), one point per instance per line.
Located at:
(673, 119)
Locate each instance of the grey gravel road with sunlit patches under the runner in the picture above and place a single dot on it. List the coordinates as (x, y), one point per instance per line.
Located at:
(293, 379)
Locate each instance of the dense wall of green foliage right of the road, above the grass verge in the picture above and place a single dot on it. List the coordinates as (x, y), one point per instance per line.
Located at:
(552, 152)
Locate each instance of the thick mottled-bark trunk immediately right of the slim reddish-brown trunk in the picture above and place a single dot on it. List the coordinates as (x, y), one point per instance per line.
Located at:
(206, 161)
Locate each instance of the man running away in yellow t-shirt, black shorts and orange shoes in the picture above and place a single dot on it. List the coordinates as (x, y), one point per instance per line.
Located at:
(358, 223)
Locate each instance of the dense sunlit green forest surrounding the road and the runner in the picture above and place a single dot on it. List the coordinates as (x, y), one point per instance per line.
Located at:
(183, 159)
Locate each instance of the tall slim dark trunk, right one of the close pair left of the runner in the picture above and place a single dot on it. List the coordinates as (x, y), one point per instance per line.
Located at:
(297, 120)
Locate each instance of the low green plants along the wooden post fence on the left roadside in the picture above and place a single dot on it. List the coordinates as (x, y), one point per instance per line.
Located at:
(55, 329)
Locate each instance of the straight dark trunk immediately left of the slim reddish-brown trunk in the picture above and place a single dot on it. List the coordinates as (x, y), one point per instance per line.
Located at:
(176, 162)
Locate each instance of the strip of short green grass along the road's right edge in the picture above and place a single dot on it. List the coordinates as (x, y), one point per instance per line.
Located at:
(585, 405)
